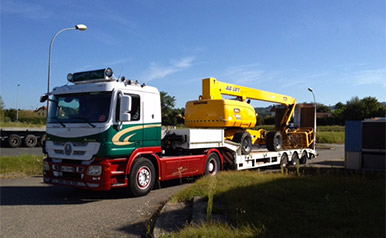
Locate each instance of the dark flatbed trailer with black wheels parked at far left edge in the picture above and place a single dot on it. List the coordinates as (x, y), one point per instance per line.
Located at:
(29, 137)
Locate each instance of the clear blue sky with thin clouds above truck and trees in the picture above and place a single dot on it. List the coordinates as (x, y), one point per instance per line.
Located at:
(337, 47)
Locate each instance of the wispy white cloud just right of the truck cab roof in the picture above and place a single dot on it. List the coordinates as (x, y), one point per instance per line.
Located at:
(158, 72)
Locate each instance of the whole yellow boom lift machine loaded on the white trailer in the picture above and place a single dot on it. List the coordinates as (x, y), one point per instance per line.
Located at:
(238, 117)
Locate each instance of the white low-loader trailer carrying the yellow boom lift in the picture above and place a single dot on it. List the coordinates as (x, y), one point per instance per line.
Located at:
(230, 152)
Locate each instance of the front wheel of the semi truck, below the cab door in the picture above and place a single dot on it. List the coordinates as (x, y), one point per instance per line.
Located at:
(142, 177)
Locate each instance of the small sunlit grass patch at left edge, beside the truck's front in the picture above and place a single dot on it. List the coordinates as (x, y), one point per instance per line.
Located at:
(21, 166)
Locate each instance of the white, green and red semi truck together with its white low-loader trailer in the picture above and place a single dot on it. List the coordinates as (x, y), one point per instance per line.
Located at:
(105, 132)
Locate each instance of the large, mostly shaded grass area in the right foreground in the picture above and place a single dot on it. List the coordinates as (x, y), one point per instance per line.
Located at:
(276, 205)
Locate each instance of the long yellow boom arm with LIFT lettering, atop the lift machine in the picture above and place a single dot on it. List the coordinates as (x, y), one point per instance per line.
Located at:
(214, 89)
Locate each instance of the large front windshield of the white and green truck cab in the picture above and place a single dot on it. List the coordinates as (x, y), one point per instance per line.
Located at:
(80, 108)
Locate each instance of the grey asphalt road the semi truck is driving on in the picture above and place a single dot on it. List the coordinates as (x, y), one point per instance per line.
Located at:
(30, 208)
